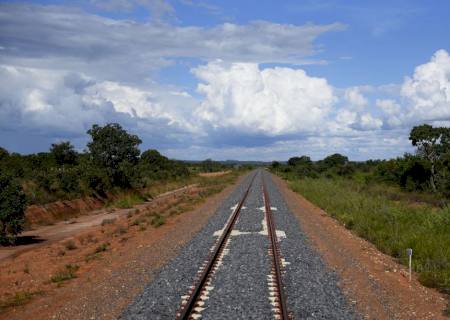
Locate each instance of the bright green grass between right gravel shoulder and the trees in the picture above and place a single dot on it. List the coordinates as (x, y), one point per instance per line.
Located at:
(392, 225)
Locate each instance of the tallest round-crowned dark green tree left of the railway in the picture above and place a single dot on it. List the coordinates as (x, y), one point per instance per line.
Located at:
(111, 147)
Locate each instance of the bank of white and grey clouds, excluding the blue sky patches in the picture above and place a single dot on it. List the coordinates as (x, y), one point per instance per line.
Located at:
(63, 69)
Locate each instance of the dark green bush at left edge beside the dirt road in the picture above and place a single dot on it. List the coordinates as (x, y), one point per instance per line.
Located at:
(12, 208)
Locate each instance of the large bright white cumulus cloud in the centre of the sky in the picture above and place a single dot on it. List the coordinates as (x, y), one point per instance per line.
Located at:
(272, 101)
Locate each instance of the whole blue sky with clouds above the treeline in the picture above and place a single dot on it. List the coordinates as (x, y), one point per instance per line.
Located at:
(243, 80)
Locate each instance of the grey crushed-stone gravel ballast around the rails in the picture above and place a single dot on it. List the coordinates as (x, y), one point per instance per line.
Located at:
(240, 289)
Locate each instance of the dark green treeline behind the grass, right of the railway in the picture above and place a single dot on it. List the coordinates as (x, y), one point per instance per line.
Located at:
(428, 170)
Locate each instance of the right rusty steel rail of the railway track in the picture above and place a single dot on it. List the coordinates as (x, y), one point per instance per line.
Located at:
(275, 254)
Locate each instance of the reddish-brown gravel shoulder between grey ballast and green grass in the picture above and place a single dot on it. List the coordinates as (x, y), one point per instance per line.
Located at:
(373, 282)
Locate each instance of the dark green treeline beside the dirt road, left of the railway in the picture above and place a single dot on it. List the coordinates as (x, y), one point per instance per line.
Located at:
(111, 162)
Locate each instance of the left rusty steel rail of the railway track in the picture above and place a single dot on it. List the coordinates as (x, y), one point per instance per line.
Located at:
(185, 313)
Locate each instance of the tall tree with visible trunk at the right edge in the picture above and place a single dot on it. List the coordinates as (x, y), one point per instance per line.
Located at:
(432, 144)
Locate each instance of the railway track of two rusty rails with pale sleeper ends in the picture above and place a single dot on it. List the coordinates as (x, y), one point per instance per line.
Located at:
(193, 303)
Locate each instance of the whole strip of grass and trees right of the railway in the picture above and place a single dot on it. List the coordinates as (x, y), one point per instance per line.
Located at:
(395, 204)
